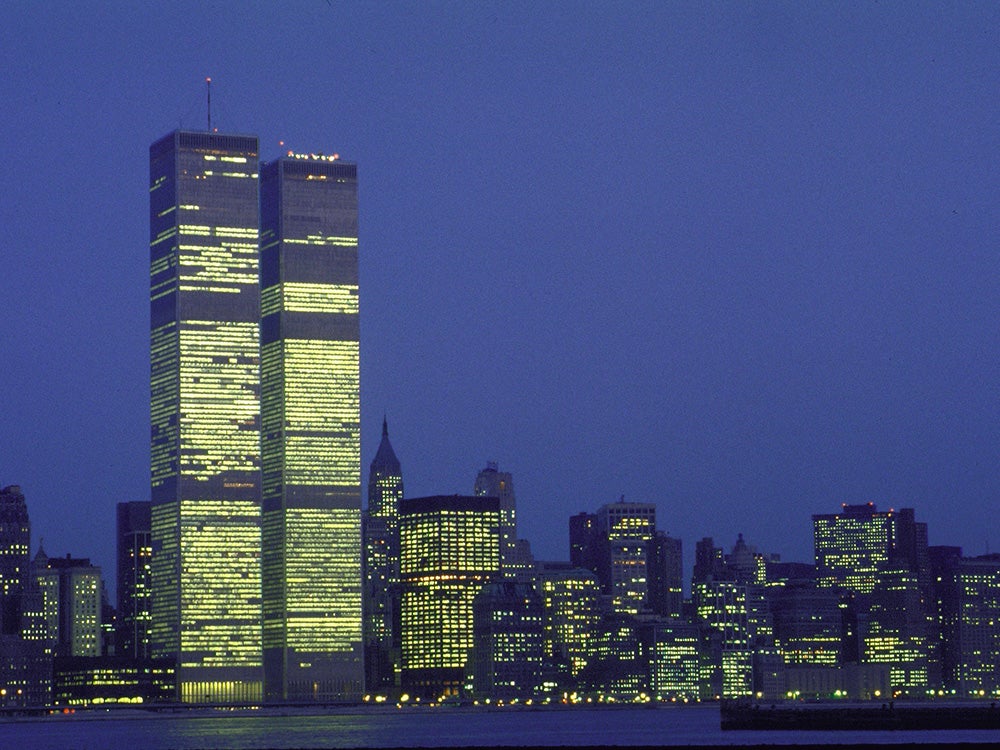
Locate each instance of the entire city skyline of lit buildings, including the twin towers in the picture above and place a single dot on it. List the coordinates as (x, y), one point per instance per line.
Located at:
(254, 574)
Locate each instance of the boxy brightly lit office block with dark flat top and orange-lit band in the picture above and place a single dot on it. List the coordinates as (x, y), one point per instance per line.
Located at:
(449, 548)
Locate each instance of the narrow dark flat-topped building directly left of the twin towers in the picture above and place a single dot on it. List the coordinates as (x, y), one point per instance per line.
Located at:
(135, 552)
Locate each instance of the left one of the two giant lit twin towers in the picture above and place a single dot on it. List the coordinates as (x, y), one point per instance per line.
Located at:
(205, 413)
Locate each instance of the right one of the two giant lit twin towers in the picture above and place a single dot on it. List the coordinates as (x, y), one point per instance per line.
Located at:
(310, 429)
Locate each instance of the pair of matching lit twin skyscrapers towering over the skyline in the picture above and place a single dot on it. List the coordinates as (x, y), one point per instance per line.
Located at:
(255, 412)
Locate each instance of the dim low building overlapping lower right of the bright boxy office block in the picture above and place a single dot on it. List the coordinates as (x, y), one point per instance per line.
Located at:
(508, 644)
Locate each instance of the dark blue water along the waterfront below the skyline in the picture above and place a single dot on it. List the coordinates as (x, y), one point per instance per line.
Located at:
(427, 727)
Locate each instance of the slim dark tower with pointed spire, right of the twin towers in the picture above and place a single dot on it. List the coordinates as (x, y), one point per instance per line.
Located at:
(380, 569)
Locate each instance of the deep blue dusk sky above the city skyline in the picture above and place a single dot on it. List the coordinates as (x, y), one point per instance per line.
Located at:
(741, 260)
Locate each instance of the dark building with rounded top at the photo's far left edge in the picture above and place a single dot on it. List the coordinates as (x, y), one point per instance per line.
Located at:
(15, 541)
